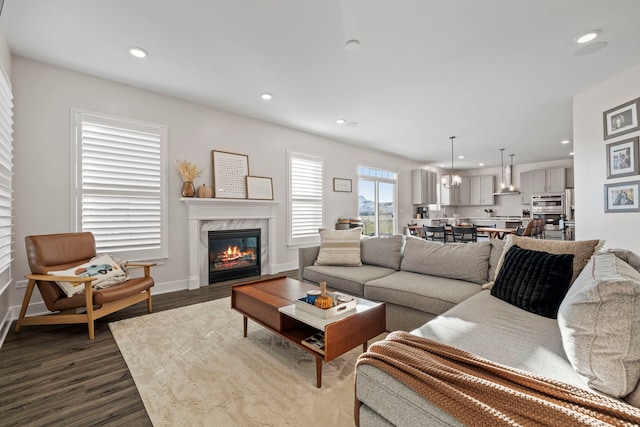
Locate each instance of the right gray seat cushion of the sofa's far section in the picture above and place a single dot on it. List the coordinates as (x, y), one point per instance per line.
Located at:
(430, 294)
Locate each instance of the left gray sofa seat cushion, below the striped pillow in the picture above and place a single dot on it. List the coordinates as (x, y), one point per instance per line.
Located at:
(346, 279)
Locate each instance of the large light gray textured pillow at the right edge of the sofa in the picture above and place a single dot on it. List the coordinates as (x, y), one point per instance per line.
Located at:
(600, 324)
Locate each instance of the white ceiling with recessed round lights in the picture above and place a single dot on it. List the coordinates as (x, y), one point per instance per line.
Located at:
(494, 73)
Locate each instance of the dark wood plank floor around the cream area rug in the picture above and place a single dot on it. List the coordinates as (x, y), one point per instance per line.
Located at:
(56, 376)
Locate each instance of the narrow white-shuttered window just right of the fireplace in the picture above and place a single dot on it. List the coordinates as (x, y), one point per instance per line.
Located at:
(305, 198)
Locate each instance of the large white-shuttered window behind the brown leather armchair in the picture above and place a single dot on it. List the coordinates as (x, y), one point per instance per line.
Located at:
(120, 193)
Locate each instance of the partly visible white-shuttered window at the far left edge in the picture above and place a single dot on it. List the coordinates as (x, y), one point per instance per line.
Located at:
(6, 173)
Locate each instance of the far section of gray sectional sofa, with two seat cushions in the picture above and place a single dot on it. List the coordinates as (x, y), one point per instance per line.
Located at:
(418, 280)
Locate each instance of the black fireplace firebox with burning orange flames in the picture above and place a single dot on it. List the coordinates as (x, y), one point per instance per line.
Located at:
(234, 254)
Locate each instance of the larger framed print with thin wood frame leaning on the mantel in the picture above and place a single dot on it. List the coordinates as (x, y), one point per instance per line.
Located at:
(229, 172)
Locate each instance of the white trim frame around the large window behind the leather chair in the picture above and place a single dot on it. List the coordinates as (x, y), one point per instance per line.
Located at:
(76, 120)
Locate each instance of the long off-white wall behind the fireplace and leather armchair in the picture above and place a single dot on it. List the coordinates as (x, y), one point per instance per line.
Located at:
(44, 95)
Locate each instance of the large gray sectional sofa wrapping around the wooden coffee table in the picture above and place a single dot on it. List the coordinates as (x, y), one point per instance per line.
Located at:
(434, 291)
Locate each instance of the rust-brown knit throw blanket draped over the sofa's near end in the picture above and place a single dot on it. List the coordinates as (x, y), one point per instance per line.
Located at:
(479, 392)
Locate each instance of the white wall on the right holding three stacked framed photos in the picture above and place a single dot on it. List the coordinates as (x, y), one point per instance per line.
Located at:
(621, 230)
